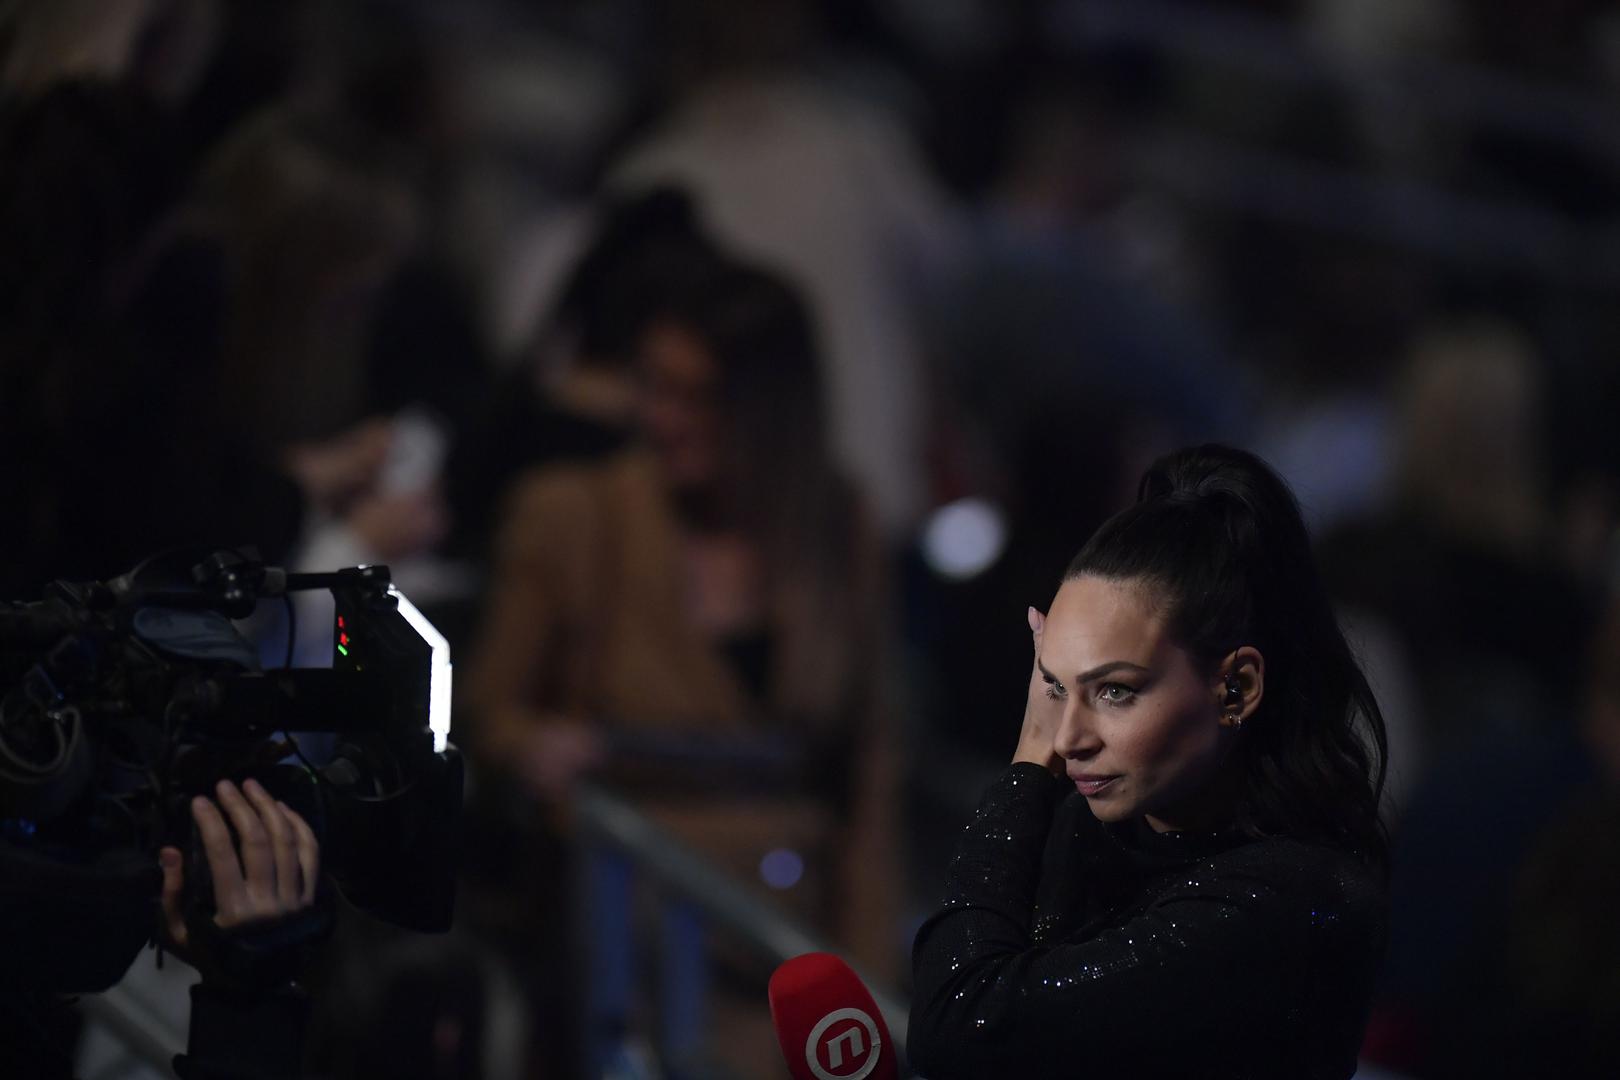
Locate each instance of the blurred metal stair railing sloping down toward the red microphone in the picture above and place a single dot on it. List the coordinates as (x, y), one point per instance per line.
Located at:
(625, 849)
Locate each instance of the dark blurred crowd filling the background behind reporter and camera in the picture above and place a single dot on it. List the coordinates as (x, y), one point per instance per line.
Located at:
(727, 378)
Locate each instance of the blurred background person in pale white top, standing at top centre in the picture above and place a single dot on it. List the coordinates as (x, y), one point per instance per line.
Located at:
(811, 177)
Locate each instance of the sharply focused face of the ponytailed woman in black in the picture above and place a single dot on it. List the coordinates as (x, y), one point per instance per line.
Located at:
(1141, 729)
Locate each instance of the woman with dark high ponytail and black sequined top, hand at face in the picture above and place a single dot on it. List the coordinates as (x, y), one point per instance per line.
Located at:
(1182, 872)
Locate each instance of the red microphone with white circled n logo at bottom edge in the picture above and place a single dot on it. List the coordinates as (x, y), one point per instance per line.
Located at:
(827, 1023)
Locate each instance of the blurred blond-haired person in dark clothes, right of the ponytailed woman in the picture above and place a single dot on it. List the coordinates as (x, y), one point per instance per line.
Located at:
(1469, 571)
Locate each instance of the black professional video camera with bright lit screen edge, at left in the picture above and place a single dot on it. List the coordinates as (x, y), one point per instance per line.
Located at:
(127, 699)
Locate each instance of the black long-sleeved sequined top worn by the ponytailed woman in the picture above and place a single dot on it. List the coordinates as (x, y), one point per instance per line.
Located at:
(1072, 948)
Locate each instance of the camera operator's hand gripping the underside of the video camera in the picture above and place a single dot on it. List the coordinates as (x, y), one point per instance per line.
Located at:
(276, 874)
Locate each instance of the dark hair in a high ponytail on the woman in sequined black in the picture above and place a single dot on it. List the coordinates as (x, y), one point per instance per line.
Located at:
(1221, 540)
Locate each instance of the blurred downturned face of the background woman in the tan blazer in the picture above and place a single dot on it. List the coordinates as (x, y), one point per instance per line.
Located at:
(678, 404)
